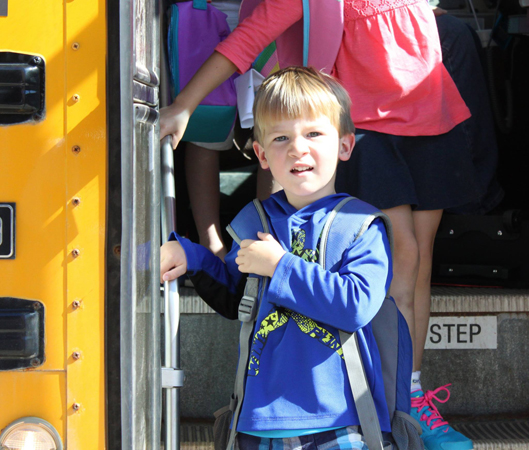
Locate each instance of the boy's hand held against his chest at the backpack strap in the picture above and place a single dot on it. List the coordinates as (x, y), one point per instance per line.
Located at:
(259, 257)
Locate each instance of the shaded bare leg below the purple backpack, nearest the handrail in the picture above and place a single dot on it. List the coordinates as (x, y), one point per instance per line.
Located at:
(202, 173)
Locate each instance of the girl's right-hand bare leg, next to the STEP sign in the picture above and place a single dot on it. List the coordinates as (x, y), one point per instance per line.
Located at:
(426, 224)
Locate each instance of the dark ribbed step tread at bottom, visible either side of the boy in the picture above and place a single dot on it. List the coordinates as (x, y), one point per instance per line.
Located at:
(486, 434)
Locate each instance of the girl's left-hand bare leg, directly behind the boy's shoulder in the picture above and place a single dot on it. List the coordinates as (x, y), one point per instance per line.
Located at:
(405, 263)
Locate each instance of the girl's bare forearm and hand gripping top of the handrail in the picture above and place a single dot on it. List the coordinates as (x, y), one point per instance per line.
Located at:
(174, 118)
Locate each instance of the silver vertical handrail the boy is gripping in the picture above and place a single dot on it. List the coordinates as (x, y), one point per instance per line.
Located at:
(172, 375)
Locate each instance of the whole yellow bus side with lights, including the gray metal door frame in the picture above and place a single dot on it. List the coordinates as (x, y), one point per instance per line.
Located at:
(78, 160)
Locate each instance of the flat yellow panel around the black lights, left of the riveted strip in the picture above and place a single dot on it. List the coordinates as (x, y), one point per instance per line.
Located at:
(33, 174)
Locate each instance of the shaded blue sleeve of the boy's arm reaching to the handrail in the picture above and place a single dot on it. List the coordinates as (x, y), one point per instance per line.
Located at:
(219, 284)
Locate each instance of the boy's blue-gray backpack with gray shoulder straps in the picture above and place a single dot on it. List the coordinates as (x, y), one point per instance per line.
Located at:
(346, 223)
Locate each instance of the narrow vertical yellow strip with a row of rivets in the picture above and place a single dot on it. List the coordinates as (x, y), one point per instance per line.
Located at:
(86, 192)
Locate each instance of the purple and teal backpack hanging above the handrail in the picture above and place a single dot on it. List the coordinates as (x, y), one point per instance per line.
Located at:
(195, 29)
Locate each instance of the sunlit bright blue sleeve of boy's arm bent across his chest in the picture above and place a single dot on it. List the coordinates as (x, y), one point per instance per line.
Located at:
(347, 299)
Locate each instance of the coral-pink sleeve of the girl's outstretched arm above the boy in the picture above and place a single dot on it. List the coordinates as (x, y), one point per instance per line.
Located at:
(267, 21)
